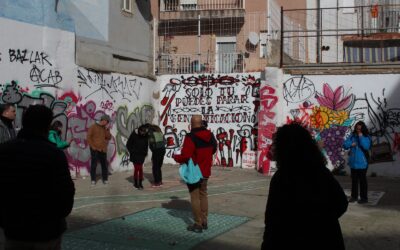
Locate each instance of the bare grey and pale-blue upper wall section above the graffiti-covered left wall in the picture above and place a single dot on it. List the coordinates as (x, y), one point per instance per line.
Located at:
(102, 44)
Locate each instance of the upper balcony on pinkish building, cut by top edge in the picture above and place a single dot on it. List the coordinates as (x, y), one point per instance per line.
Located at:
(191, 9)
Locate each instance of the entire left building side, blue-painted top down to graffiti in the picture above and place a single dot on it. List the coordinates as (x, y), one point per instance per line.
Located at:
(82, 59)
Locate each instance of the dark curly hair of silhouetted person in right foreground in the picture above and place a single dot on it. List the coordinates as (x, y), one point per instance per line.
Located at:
(295, 150)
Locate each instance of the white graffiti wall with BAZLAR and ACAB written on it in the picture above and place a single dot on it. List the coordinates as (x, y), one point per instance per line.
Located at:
(37, 67)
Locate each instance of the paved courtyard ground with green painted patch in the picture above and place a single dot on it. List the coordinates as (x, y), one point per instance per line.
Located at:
(237, 200)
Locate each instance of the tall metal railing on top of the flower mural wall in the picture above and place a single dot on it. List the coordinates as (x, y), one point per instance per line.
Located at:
(341, 35)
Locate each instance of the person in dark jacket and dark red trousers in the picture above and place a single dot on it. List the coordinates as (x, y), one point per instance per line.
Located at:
(137, 146)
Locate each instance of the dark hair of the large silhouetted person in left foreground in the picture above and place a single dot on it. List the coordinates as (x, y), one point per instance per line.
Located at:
(37, 119)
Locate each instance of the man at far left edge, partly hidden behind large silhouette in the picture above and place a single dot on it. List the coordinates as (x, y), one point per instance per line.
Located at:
(7, 116)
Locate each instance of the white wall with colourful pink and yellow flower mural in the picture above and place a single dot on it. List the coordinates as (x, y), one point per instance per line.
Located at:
(331, 104)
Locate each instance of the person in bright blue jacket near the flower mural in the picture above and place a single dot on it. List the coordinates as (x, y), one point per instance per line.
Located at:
(359, 143)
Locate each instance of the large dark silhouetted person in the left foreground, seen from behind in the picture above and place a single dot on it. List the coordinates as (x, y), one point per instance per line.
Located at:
(36, 188)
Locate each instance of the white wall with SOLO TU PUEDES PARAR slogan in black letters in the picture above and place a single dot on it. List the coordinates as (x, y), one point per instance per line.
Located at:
(229, 103)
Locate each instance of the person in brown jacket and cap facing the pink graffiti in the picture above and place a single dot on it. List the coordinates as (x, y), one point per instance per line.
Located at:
(98, 137)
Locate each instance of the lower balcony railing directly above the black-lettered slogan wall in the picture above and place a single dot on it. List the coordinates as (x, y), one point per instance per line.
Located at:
(211, 63)
